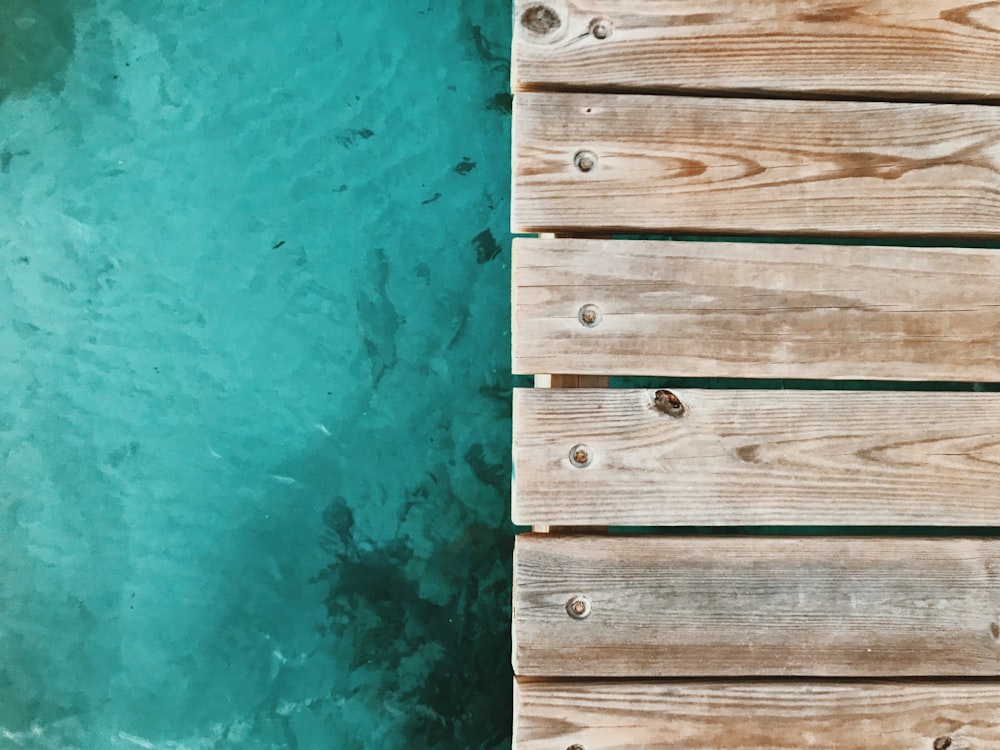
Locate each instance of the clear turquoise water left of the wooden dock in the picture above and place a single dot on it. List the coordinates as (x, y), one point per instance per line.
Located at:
(254, 389)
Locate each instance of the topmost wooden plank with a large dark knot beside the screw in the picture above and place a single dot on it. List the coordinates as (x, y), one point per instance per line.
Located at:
(917, 49)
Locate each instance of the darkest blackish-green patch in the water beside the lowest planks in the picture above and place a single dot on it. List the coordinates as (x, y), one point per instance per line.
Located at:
(462, 695)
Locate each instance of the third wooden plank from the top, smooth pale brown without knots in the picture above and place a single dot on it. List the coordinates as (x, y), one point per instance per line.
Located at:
(756, 311)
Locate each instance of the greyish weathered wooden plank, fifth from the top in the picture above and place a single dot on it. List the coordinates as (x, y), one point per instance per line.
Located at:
(756, 606)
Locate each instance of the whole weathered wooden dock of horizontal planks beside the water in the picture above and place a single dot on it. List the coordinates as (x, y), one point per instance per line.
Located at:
(874, 123)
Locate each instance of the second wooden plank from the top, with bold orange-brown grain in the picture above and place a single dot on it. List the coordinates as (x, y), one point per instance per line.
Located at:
(604, 163)
